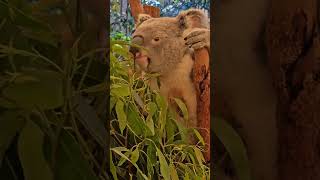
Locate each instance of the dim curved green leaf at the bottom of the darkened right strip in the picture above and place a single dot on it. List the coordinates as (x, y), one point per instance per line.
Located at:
(235, 147)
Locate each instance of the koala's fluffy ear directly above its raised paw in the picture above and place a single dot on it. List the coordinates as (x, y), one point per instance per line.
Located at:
(193, 18)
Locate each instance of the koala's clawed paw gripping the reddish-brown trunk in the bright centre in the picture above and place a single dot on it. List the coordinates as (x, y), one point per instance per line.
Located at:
(198, 38)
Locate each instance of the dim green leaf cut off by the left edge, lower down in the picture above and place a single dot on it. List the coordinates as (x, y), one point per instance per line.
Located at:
(11, 123)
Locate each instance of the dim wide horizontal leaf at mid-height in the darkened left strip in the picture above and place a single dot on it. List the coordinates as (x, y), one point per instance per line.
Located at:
(36, 88)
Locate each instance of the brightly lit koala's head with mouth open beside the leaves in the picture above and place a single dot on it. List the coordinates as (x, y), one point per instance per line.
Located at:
(162, 40)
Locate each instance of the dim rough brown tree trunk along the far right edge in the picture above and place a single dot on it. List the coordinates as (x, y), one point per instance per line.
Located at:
(292, 44)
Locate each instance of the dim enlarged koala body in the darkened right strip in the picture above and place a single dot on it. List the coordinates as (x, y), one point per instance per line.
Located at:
(243, 79)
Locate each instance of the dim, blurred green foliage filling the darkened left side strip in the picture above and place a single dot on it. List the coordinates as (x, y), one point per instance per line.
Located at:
(52, 101)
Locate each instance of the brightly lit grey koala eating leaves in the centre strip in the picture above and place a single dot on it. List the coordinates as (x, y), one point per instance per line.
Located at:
(168, 49)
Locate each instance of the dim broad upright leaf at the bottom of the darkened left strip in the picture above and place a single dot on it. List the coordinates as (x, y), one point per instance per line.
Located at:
(31, 153)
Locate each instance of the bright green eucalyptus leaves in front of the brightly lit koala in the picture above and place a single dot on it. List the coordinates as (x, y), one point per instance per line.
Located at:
(147, 142)
